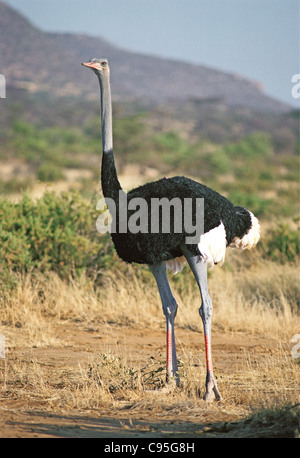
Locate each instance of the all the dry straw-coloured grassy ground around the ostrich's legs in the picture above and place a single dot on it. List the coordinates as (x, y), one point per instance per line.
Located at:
(255, 306)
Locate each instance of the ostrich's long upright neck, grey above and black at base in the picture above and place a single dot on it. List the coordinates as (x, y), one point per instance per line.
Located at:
(109, 178)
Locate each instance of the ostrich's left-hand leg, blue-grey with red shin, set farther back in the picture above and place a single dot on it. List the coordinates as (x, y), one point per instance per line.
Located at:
(169, 305)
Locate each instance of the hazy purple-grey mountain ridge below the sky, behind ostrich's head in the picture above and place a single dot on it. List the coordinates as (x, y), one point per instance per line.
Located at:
(40, 61)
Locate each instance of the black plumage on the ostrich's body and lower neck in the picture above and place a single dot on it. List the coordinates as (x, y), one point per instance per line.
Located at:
(152, 248)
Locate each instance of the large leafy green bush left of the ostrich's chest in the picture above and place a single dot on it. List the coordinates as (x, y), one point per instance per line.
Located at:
(56, 233)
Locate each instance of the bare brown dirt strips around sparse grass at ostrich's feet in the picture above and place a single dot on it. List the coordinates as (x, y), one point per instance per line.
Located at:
(28, 417)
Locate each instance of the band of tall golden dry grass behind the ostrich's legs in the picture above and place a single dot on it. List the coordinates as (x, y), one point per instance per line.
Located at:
(260, 301)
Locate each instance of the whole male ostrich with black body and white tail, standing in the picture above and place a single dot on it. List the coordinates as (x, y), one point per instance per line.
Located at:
(224, 225)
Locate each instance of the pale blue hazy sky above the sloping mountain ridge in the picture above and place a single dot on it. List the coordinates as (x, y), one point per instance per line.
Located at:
(258, 39)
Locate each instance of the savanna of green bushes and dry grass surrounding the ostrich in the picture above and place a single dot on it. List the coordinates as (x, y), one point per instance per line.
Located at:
(57, 271)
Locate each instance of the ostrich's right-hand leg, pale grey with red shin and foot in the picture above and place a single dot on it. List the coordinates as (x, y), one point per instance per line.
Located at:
(199, 269)
